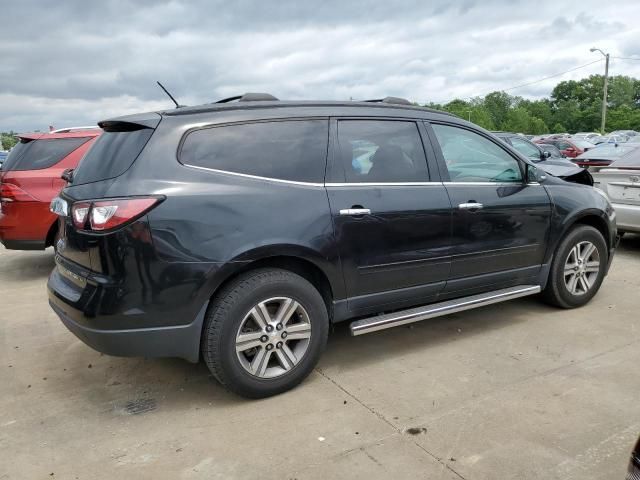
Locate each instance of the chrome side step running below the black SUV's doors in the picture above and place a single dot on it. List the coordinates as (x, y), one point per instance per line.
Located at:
(394, 319)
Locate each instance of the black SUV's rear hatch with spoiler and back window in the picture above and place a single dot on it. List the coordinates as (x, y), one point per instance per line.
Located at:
(109, 157)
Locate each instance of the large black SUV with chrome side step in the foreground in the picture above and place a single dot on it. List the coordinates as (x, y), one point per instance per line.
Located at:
(240, 231)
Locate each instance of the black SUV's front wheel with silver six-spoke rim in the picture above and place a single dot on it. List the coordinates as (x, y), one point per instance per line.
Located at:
(560, 291)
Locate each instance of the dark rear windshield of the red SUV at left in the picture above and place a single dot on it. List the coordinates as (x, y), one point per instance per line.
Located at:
(41, 153)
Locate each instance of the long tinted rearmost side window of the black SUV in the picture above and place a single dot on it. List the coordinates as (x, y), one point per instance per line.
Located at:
(287, 150)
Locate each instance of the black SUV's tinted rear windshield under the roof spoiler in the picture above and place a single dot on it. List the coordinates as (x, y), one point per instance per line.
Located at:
(111, 155)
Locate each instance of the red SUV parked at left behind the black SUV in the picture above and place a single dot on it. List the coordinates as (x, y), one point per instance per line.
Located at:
(30, 179)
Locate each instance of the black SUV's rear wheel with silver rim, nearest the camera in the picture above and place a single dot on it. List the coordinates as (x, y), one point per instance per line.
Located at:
(239, 309)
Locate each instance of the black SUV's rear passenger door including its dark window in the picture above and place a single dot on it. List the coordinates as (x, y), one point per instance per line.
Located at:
(392, 216)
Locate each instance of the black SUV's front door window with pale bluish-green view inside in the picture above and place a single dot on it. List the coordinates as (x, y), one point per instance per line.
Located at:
(472, 158)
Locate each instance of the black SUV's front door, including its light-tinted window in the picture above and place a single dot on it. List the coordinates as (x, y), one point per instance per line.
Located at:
(500, 221)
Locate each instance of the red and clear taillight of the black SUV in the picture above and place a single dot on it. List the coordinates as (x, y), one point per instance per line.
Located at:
(108, 214)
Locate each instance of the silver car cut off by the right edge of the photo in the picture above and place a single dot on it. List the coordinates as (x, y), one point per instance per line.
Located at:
(621, 182)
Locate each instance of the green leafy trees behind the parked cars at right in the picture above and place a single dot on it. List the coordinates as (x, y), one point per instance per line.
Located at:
(574, 106)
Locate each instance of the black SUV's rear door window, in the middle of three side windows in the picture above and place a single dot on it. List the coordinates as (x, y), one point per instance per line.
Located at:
(381, 151)
